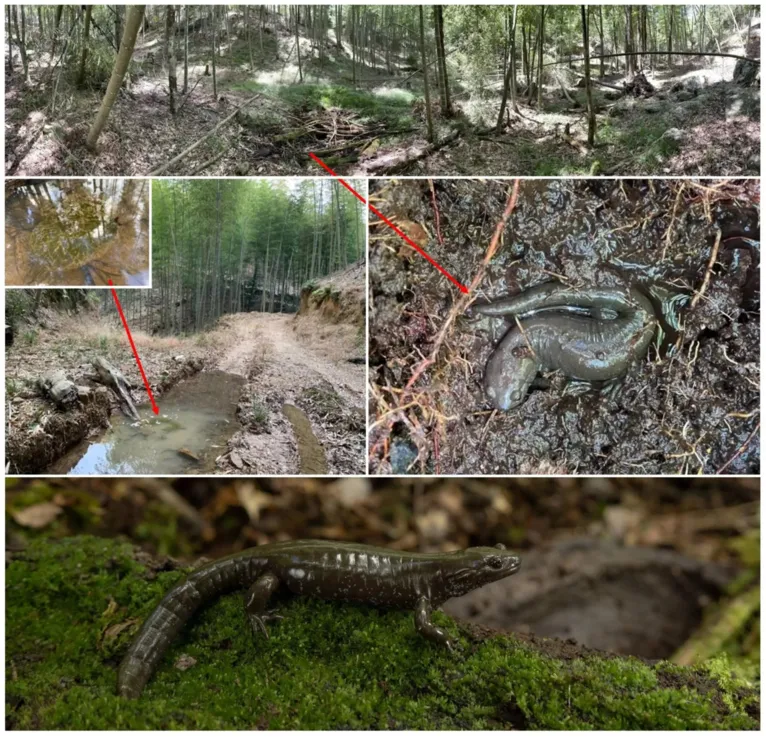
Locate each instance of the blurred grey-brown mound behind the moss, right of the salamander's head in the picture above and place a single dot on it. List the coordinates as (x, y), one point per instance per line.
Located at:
(633, 601)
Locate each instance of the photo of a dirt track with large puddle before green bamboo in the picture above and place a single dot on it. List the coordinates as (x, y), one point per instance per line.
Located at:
(251, 343)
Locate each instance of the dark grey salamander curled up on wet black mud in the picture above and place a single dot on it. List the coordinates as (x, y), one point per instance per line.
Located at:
(550, 334)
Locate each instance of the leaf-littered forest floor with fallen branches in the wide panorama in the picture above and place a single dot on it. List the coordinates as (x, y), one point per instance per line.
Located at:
(698, 122)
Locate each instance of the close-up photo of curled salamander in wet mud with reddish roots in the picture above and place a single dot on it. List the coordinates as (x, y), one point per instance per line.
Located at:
(565, 327)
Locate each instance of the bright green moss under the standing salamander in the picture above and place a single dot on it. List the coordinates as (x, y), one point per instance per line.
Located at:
(74, 605)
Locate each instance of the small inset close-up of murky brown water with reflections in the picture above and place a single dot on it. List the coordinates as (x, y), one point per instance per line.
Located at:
(79, 232)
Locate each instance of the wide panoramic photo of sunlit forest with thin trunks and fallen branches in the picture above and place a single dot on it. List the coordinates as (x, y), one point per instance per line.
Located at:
(241, 90)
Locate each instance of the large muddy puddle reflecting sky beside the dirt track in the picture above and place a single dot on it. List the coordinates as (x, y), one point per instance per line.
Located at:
(196, 419)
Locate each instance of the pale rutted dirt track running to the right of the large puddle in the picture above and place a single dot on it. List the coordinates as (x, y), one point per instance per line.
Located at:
(310, 372)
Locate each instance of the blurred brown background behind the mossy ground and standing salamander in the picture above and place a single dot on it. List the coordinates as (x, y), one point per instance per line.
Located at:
(654, 567)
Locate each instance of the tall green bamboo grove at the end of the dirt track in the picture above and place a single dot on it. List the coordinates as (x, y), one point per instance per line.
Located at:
(223, 246)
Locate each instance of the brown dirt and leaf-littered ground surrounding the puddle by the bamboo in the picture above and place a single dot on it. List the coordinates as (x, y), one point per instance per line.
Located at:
(301, 409)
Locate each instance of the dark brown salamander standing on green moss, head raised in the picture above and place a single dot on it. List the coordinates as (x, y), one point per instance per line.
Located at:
(328, 570)
